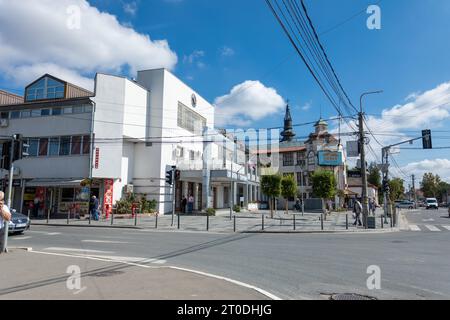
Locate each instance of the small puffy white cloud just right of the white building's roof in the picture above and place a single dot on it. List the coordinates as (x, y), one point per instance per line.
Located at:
(247, 102)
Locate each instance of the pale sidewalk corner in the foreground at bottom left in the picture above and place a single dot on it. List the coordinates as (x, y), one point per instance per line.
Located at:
(35, 276)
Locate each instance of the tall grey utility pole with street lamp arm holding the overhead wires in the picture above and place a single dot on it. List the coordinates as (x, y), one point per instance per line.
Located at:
(362, 143)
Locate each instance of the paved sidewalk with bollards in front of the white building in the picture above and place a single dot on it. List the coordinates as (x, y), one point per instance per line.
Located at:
(240, 222)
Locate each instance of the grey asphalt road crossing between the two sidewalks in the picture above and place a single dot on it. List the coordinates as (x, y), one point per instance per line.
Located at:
(414, 264)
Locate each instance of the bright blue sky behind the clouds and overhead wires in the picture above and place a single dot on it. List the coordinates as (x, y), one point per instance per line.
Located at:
(223, 44)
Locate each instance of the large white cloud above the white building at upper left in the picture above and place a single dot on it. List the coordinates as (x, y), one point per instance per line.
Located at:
(35, 33)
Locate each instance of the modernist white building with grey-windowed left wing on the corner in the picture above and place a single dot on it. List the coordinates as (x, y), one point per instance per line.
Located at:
(124, 136)
